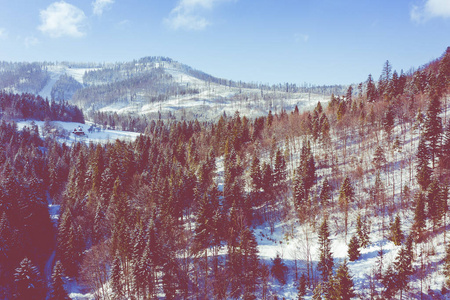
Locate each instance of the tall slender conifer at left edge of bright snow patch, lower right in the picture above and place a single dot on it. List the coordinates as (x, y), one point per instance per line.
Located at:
(325, 264)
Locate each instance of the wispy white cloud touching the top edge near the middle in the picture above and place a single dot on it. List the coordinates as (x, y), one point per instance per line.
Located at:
(187, 15)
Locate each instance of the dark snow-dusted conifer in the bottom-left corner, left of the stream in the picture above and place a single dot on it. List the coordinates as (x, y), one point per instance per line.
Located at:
(28, 281)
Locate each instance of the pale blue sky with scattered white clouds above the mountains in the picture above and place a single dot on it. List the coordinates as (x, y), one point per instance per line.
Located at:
(266, 41)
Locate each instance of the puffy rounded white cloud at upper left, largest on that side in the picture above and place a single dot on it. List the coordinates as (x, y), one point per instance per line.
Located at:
(62, 19)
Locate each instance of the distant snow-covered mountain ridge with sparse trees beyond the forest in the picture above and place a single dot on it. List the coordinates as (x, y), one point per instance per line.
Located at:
(154, 85)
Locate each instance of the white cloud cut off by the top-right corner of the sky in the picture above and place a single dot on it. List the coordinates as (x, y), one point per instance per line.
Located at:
(430, 9)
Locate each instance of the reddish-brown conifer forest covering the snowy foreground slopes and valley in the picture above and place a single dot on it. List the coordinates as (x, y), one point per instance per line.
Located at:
(188, 209)
